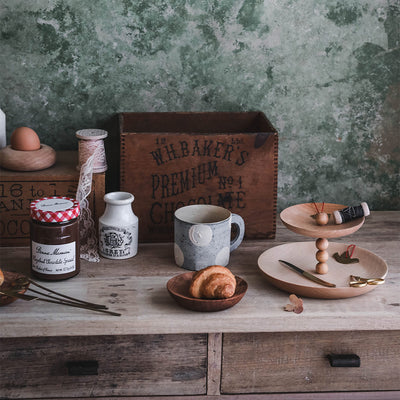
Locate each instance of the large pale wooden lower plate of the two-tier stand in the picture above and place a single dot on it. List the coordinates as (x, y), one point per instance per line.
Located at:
(302, 254)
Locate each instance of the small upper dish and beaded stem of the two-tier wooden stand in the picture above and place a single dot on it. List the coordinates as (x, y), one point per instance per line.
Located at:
(300, 219)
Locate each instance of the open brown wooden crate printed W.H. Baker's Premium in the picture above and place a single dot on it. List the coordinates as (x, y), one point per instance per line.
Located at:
(169, 160)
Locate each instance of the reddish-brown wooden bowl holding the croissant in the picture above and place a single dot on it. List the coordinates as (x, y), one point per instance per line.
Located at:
(178, 287)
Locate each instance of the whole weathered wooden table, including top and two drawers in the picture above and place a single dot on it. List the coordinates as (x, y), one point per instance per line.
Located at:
(156, 348)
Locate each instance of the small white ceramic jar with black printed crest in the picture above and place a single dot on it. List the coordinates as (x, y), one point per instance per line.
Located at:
(118, 227)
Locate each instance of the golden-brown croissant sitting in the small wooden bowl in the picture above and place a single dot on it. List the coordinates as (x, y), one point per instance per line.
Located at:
(214, 282)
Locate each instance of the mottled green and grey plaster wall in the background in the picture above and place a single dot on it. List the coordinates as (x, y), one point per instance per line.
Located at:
(326, 73)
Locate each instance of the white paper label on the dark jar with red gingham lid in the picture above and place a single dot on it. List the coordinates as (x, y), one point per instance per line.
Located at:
(53, 259)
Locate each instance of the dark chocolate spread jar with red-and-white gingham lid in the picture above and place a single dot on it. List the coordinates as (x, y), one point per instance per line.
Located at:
(54, 232)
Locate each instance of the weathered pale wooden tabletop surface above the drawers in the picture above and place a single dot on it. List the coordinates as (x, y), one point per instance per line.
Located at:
(137, 289)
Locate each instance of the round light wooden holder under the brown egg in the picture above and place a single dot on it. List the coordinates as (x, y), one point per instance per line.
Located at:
(34, 160)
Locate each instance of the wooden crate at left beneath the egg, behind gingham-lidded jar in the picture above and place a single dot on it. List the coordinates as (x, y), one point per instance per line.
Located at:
(18, 189)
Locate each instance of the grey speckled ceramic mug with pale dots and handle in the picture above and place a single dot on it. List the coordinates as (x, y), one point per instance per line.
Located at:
(203, 236)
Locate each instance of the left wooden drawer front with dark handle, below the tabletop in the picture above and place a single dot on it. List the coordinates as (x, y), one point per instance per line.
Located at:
(103, 366)
